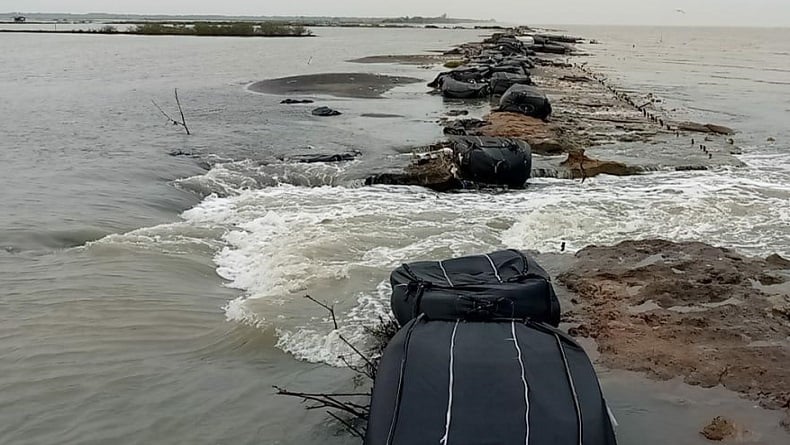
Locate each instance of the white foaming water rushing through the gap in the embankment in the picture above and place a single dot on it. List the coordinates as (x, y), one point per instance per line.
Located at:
(281, 243)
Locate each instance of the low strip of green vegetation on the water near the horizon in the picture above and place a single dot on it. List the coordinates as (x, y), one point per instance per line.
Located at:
(228, 29)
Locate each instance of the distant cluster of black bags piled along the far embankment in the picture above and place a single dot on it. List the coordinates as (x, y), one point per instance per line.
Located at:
(501, 69)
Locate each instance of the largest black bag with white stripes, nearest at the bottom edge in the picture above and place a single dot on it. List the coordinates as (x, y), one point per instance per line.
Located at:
(468, 383)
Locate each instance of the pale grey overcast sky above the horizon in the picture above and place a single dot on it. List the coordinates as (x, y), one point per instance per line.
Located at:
(651, 12)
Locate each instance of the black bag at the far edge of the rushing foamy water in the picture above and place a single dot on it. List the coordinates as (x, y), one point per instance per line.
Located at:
(493, 161)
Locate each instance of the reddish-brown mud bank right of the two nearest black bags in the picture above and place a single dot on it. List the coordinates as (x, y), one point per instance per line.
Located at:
(705, 313)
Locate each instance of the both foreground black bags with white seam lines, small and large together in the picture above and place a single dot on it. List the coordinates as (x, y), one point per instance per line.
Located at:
(479, 360)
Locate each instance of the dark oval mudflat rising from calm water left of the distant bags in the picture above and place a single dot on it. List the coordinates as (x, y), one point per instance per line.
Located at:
(353, 85)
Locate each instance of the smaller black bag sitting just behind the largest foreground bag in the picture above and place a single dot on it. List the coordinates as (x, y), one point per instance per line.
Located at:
(504, 284)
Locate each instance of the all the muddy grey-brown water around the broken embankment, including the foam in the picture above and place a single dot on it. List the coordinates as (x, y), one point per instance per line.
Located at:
(147, 299)
